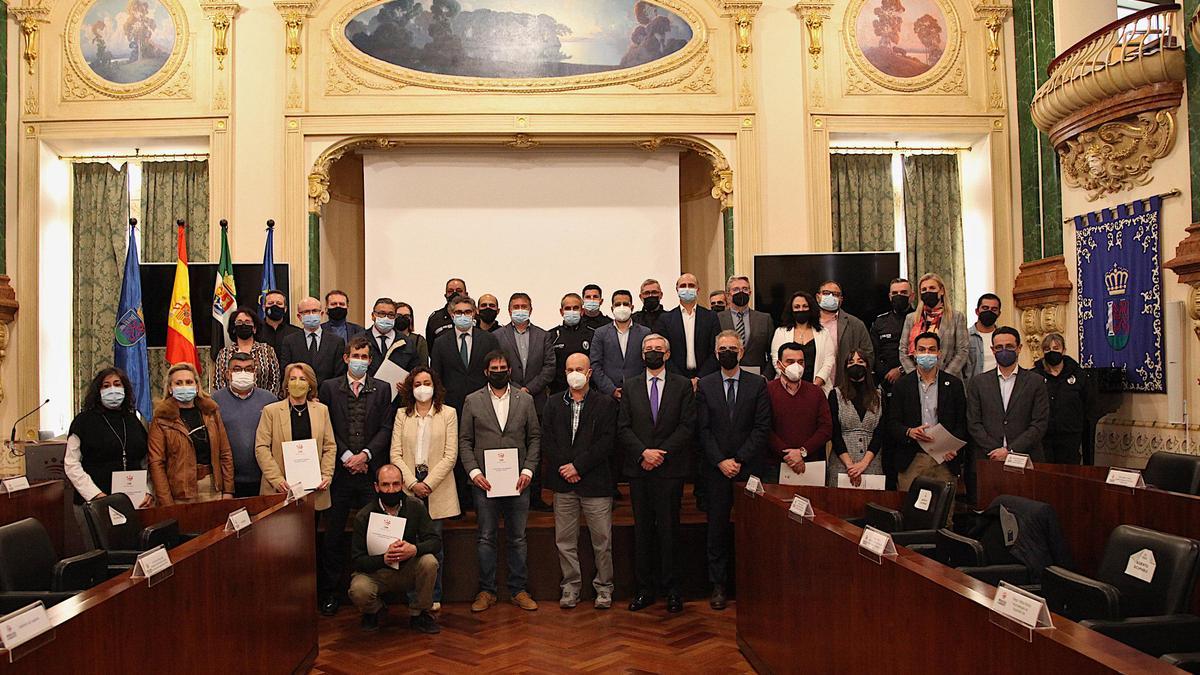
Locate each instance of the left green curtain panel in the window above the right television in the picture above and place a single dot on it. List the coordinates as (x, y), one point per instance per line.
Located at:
(863, 210)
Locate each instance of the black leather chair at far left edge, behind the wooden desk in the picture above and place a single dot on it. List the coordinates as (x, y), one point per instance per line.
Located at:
(31, 570)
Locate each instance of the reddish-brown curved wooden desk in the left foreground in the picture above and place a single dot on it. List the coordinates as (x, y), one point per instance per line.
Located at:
(233, 606)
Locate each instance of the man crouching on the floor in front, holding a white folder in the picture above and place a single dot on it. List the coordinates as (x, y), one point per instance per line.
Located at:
(394, 552)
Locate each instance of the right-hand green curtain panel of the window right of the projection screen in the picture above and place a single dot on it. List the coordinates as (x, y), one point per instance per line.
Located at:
(934, 220)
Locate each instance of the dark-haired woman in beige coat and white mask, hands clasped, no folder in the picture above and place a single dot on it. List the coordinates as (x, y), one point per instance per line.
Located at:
(425, 447)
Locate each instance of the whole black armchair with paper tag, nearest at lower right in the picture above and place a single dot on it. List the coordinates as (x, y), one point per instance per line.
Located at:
(1145, 616)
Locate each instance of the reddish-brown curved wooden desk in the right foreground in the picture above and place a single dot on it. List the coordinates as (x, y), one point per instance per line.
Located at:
(809, 602)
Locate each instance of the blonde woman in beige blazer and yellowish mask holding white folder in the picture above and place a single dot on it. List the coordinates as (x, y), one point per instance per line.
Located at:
(297, 419)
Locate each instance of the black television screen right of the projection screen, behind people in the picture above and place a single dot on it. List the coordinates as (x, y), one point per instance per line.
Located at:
(865, 280)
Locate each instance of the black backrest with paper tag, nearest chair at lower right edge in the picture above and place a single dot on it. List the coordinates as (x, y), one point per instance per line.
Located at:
(1169, 590)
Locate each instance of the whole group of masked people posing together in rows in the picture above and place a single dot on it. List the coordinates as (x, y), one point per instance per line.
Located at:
(656, 398)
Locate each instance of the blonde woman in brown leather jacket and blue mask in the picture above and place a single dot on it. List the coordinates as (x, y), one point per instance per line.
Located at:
(190, 455)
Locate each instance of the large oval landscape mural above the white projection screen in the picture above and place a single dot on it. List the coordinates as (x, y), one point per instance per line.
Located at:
(518, 39)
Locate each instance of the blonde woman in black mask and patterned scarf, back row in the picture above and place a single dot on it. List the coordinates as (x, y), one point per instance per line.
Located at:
(934, 315)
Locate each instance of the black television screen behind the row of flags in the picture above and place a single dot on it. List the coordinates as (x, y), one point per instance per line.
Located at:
(159, 279)
